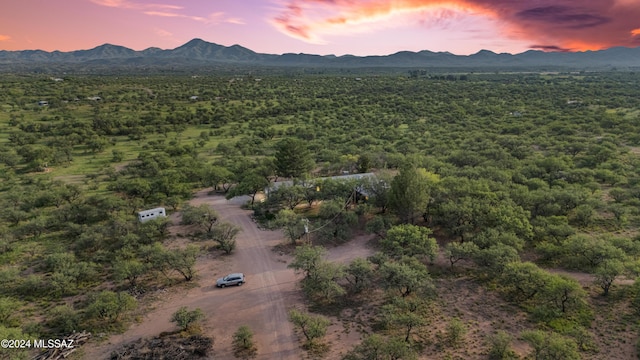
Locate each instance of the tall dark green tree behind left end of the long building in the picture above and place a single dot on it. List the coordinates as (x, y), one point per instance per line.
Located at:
(292, 158)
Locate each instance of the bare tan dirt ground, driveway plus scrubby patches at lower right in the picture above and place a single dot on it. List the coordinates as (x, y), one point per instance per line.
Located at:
(271, 290)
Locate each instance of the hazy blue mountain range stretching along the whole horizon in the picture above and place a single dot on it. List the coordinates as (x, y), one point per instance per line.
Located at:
(198, 53)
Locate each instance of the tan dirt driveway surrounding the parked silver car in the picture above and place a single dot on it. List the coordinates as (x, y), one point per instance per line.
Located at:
(262, 303)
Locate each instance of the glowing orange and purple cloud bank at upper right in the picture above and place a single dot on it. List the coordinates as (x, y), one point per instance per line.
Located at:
(553, 24)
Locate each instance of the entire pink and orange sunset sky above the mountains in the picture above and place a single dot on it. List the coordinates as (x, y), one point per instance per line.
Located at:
(358, 27)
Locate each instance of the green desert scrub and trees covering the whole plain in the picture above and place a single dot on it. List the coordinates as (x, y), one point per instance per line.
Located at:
(516, 179)
